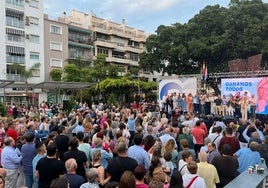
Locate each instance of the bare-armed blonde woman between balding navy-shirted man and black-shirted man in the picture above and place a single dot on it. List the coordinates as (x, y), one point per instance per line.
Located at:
(100, 169)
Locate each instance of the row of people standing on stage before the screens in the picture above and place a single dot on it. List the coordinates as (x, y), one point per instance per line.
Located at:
(238, 105)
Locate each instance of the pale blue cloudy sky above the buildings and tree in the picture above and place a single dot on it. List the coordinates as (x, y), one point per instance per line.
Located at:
(145, 15)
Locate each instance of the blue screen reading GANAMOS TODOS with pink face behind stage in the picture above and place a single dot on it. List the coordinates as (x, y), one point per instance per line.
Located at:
(255, 86)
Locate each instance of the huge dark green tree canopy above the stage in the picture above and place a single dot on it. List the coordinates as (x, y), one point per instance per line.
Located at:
(215, 35)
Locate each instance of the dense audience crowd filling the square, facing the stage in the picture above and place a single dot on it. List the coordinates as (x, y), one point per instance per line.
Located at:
(127, 147)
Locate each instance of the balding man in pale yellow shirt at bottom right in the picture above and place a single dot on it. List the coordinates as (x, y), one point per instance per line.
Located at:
(207, 171)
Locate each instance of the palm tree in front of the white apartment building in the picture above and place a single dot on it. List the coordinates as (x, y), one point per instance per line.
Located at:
(27, 74)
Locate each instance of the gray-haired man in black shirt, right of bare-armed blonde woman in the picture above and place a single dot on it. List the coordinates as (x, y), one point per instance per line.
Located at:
(118, 165)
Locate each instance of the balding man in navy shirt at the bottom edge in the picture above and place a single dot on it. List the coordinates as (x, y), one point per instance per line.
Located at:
(75, 180)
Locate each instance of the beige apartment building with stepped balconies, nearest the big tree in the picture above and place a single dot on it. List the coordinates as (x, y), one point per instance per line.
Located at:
(121, 44)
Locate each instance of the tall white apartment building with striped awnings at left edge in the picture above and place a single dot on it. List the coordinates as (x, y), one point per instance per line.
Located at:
(21, 42)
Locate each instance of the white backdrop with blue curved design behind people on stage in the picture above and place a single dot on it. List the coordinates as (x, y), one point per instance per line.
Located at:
(179, 85)
